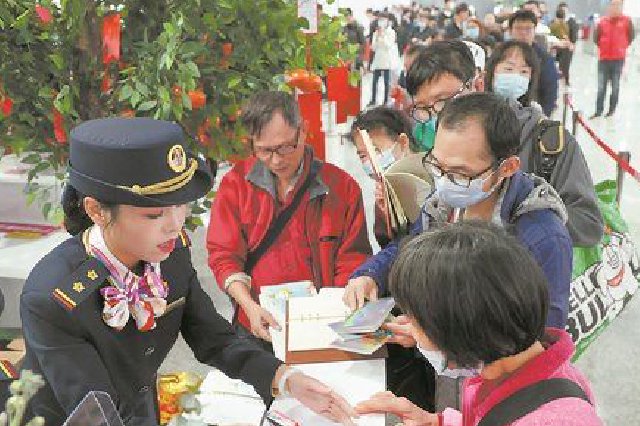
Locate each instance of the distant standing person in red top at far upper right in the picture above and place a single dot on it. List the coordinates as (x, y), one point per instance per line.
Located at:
(613, 35)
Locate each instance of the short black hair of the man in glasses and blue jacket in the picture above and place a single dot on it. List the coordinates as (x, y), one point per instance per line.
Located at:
(497, 118)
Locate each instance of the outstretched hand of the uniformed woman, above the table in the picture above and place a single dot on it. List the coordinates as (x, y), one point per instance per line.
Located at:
(320, 398)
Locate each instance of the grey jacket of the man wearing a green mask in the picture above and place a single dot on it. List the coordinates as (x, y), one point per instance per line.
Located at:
(570, 178)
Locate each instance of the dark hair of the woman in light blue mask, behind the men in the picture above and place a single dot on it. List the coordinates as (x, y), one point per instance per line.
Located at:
(500, 53)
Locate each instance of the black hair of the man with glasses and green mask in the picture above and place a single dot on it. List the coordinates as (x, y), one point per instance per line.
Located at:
(439, 58)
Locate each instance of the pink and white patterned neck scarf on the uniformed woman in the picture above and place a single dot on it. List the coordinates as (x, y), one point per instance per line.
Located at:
(142, 297)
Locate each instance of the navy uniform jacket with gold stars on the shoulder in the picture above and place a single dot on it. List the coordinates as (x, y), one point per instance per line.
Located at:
(77, 352)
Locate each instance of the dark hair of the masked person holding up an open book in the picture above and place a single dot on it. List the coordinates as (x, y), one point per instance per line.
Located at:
(392, 121)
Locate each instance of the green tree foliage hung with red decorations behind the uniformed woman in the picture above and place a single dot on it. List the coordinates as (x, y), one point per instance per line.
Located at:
(224, 49)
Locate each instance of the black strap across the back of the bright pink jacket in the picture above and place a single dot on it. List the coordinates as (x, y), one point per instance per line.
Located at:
(529, 399)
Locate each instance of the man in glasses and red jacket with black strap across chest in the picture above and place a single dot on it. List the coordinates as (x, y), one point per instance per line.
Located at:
(325, 238)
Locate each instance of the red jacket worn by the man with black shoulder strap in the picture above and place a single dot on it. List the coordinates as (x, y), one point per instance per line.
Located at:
(325, 240)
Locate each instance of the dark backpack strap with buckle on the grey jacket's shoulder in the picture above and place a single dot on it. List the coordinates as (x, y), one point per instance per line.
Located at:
(549, 142)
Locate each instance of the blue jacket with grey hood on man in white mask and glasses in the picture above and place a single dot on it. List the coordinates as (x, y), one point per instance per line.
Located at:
(532, 211)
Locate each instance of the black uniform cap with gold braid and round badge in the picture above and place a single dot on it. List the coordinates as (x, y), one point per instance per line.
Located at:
(136, 161)
